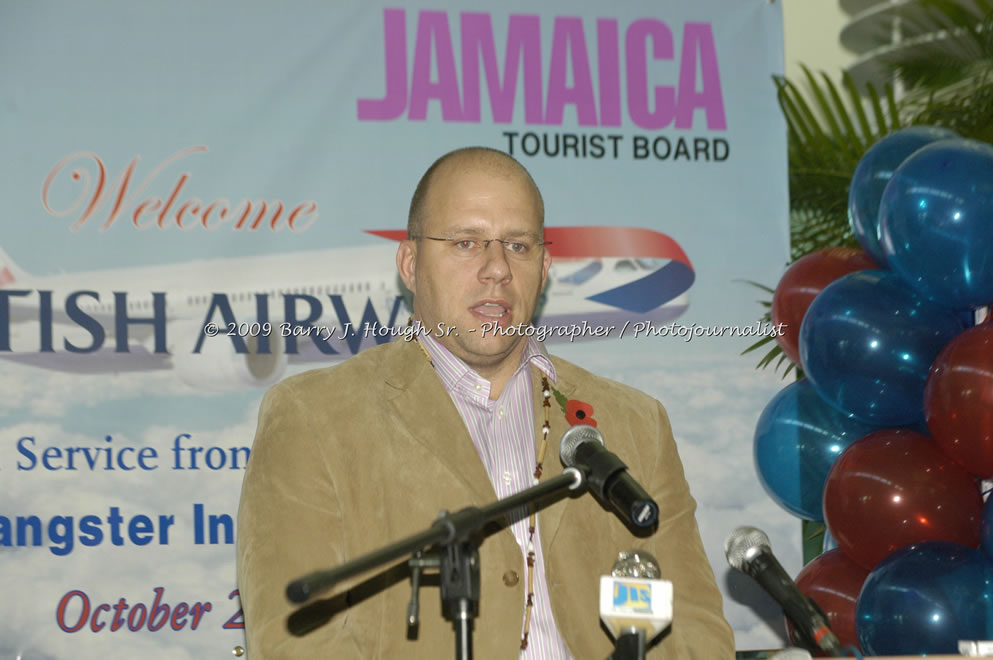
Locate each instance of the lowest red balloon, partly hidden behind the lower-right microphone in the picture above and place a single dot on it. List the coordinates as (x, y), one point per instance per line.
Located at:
(834, 581)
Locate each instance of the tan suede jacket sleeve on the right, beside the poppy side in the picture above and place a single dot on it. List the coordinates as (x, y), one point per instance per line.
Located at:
(699, 630)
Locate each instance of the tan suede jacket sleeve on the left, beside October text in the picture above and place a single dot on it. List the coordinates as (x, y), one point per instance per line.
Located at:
(289, 524)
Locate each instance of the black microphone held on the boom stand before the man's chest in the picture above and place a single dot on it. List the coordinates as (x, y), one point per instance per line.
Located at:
(582, 447)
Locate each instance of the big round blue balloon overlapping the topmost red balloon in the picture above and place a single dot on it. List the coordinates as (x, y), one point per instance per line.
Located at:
(867, 343)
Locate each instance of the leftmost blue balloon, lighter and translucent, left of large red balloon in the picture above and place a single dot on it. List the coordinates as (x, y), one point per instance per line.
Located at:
(797, 440)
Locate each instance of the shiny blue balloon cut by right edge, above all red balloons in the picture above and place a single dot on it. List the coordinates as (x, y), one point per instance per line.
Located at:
(936, 222)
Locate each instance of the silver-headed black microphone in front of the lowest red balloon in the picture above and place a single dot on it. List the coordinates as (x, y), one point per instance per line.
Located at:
(748, 550)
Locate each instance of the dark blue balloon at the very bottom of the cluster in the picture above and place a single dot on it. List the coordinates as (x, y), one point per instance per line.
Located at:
(924, 598)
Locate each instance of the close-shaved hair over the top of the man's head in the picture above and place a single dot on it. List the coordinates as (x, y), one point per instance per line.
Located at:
(481, 159)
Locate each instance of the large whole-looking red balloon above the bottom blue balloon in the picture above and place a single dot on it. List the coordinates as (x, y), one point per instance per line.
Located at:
(893, 488)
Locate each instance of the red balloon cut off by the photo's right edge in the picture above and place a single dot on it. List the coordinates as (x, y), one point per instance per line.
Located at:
(958, 400)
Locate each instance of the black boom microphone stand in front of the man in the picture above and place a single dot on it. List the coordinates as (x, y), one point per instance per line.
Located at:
(459, 557)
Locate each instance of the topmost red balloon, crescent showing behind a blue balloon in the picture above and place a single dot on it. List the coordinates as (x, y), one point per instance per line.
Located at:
(801, 283)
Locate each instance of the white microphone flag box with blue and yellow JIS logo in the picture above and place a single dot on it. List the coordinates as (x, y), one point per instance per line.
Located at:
(634, 603)
